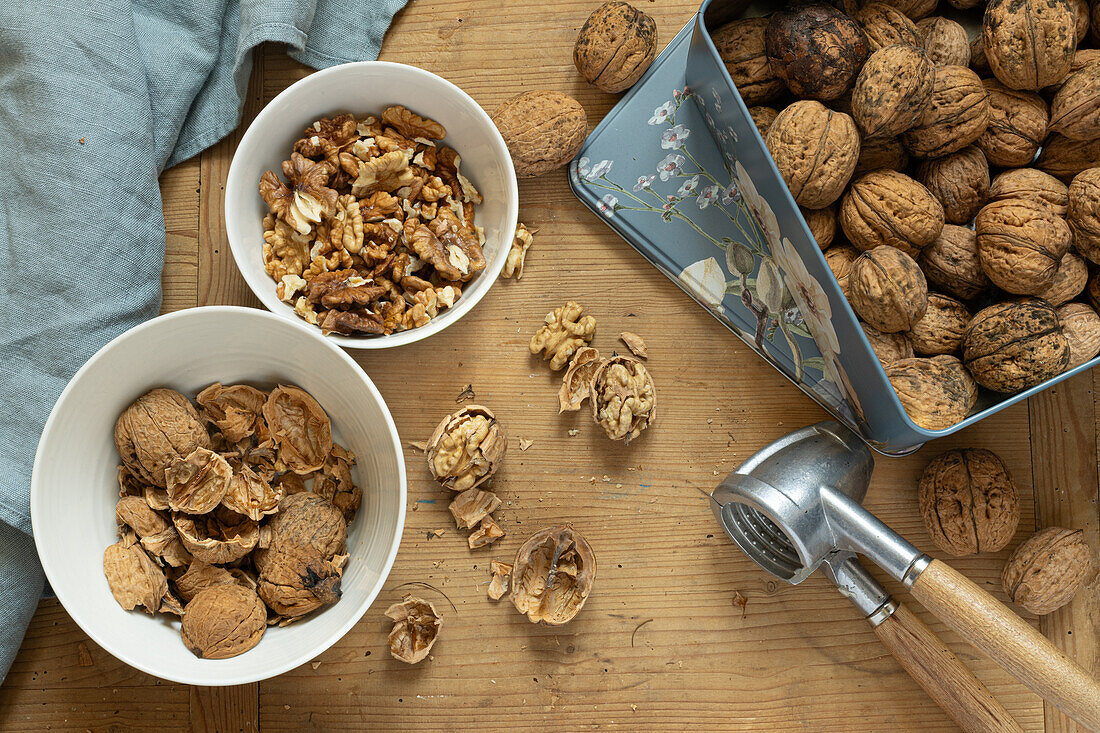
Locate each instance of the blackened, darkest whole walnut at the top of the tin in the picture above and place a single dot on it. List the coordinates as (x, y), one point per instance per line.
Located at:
(816, 50)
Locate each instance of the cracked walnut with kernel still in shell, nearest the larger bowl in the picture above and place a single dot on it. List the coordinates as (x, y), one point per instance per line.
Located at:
(467, 448)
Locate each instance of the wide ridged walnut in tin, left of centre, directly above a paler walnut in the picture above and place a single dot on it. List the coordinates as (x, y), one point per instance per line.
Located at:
(887, 207)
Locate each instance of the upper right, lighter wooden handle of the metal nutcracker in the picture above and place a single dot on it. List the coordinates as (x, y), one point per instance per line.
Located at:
(1010, 642)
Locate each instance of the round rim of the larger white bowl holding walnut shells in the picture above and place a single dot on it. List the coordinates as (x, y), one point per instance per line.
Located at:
(74, 609)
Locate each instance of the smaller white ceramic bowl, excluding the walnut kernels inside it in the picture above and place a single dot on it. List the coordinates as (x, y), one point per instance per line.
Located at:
(361, 89)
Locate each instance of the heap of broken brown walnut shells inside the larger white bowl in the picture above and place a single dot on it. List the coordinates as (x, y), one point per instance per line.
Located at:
(217, 522)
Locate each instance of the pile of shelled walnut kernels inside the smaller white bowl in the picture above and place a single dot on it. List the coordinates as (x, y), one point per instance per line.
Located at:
(373, 231)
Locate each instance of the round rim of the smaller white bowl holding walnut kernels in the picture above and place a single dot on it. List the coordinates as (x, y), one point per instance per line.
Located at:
(466, 304)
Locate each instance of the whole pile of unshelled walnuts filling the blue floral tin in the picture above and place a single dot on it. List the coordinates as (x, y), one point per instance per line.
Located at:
(952, 179)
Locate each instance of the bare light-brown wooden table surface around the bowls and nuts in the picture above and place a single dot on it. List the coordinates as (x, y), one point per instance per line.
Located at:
(661, 644)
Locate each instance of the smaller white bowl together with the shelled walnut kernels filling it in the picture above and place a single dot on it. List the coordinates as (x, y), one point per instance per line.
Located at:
(349, 213)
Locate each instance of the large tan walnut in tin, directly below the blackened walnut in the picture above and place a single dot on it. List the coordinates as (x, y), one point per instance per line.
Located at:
(816, 151)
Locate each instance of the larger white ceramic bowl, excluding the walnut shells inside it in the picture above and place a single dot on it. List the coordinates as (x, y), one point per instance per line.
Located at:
(74, 488)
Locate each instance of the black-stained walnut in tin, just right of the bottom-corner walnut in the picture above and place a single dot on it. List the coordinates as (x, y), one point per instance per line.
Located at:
(1016, 345)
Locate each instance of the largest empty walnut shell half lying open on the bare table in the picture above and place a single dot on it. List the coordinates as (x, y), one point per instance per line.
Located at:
(553, 576)
